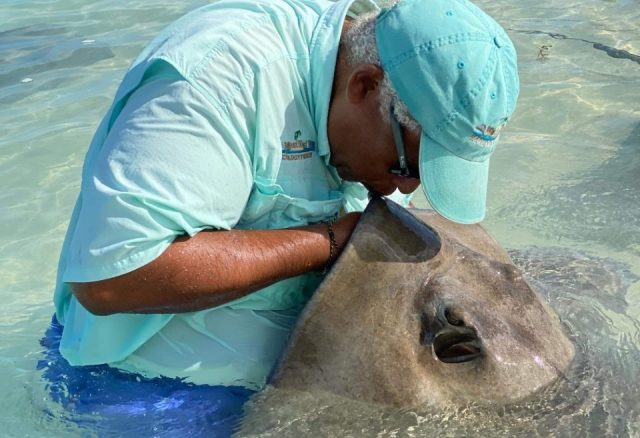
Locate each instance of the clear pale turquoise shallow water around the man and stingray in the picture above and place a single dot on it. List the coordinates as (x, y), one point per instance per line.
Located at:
(566, 176)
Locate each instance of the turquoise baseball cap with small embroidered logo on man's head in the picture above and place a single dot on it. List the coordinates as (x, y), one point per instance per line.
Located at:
(455, 69)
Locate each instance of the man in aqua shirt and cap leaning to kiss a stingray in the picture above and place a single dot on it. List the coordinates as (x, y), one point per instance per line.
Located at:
(209, 190)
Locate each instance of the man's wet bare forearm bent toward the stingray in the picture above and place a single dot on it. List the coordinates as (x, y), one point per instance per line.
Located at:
(212, 268)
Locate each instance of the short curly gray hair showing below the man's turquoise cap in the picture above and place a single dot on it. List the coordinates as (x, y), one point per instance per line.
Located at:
(359, 42)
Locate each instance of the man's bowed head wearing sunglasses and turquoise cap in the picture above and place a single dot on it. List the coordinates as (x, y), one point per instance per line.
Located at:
(449, 73)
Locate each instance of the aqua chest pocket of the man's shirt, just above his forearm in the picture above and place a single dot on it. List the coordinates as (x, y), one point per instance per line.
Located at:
(269, 207)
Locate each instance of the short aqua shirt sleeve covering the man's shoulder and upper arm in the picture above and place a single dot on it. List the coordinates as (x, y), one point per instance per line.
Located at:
(170, 165)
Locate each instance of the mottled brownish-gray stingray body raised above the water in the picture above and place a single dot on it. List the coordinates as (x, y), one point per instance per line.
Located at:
(422, 310)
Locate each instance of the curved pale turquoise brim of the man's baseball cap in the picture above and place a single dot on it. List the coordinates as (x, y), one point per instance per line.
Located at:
(455, 188)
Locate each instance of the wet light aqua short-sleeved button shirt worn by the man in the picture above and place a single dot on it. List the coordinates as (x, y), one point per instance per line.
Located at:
(220, 123)
